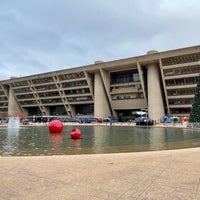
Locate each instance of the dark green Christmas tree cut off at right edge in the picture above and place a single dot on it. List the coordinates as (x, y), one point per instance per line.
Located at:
(195, 111)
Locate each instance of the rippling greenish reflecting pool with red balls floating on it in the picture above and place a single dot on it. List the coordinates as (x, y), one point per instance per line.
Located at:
(36, 140)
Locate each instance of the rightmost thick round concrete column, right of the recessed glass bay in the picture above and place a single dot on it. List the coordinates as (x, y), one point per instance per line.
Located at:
(155, 101)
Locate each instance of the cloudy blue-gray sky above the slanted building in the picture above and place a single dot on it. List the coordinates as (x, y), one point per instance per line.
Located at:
(39, 36)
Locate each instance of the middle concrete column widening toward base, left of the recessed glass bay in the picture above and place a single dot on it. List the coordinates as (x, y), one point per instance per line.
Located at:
(101, 105)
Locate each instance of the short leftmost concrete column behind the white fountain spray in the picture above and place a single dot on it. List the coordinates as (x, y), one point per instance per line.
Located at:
(13, 107)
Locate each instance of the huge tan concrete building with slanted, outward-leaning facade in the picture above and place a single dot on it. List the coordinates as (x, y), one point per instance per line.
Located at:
(158, 82)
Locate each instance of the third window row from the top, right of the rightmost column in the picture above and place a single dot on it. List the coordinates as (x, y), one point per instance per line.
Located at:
(182, 81)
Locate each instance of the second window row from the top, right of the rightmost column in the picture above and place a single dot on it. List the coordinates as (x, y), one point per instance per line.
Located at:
(182, 70)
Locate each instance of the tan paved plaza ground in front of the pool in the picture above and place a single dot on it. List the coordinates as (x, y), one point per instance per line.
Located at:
(164, 175)
